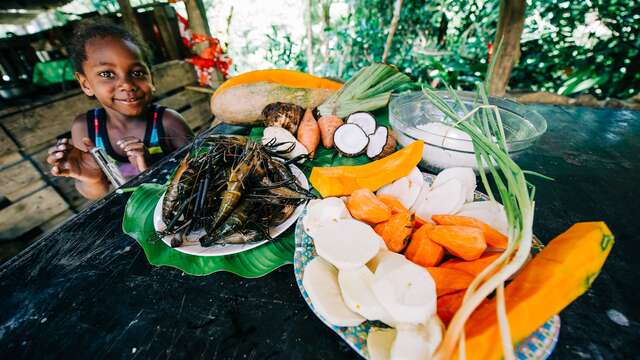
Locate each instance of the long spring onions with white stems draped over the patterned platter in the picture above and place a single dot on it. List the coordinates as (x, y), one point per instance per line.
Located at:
(484, 126)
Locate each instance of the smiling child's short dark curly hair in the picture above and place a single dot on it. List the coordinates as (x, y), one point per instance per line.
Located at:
(88, 30)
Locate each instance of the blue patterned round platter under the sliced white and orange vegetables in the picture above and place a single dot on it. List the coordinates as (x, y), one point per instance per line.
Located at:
(538, 345)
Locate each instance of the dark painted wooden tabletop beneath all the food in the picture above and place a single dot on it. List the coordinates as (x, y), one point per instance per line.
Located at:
(86, 290)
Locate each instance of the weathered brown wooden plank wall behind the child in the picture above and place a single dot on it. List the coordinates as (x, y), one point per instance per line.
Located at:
(29, 196)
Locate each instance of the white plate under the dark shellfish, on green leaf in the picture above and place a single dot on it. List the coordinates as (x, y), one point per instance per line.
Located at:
(192, 245)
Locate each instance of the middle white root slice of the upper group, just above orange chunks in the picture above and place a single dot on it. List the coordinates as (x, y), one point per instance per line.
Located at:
(447, 198)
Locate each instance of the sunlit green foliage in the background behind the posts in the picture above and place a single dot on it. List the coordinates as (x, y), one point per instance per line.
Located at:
(447, 41)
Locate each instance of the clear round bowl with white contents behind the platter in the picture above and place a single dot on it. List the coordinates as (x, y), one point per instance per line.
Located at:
(413, 117)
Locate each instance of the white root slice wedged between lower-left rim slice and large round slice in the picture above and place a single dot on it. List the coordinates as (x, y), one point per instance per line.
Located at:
(357, 294)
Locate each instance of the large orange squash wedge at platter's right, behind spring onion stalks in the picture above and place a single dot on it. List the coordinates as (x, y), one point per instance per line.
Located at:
(561, 272)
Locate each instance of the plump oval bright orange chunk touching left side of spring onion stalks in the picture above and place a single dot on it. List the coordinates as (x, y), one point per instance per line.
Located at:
(462, 241)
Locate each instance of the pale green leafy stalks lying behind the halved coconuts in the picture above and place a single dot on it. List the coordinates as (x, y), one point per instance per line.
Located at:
(369, 89)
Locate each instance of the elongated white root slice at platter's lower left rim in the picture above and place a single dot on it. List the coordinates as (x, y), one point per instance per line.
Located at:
(320, 280)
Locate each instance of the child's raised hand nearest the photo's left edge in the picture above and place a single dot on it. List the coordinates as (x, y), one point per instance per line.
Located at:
(68, 160)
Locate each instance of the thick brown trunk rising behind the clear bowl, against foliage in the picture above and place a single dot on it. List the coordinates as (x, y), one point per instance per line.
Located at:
(507, 43)
